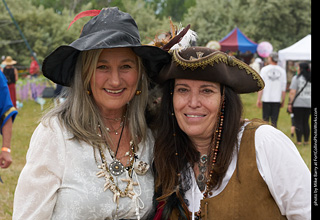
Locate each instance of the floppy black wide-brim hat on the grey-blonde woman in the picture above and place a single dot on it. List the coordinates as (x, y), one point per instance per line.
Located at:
(111, 28)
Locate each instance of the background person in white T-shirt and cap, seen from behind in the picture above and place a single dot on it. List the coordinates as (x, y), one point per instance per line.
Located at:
(272, 97)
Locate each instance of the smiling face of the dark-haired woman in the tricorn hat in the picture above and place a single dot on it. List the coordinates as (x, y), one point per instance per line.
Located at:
(196, 105)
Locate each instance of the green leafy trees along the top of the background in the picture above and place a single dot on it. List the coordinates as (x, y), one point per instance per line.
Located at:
(44, 22)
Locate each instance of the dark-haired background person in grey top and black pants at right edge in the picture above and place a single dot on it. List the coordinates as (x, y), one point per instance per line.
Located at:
(300, 106)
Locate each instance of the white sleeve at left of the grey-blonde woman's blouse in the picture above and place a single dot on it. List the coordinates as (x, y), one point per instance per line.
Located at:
(40, 179)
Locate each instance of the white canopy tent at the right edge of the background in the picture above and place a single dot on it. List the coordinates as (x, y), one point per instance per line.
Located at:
(301, 50)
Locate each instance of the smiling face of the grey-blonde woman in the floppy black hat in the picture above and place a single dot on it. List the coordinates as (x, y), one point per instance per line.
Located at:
(115, 80)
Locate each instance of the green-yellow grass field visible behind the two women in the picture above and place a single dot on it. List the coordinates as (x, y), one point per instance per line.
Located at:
(28, 119)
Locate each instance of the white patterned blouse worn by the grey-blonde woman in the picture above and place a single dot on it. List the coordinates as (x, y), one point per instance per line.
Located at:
(59, 180)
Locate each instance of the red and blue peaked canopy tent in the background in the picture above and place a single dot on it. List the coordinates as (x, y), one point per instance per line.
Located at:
(237, 41)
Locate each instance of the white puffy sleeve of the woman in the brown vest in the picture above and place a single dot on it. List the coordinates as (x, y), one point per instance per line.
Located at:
(286, 174)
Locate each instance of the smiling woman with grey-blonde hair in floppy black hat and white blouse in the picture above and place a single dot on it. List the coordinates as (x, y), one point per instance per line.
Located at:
(89, 157)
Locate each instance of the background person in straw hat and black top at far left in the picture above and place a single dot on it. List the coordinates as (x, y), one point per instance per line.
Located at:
(11, 73)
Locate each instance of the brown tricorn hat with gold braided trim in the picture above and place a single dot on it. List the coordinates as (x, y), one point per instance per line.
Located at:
(202, 63)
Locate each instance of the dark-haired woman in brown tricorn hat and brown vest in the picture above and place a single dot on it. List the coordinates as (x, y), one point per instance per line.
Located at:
(209, 162)
